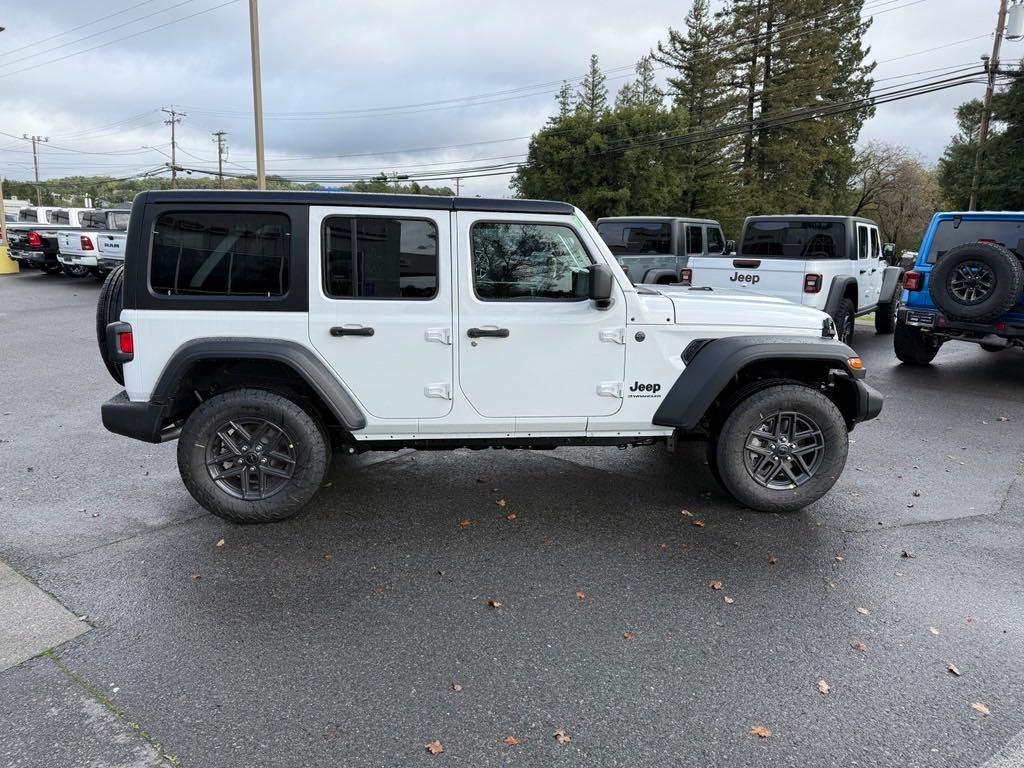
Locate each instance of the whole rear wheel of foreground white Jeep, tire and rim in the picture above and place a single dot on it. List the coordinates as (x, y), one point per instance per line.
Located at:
(252, 456)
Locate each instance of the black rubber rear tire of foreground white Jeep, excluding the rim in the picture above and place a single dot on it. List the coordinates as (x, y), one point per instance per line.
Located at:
(309, 441)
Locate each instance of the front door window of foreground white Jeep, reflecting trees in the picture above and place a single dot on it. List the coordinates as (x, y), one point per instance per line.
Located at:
(529, 263)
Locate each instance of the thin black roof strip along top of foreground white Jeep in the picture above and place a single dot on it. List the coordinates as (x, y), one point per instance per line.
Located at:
(368, 200)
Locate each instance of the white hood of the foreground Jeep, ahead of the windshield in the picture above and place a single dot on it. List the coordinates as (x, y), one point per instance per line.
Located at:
(726, 308)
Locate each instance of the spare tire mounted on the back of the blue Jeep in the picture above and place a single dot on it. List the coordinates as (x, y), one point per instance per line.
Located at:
(976, 282)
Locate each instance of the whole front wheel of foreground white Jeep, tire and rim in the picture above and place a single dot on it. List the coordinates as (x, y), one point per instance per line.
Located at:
(783, 449)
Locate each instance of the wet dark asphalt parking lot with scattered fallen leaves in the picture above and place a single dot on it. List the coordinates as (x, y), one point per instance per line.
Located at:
(361, 631)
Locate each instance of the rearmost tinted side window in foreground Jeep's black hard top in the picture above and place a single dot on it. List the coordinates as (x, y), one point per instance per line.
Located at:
(222, 254)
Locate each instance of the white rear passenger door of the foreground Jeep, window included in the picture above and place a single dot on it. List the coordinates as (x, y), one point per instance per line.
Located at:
(380, 307)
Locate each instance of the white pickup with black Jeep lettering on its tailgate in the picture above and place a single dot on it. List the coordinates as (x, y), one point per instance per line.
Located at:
(834, 264)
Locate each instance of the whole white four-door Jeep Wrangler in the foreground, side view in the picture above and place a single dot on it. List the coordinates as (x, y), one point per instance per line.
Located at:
(267, 330)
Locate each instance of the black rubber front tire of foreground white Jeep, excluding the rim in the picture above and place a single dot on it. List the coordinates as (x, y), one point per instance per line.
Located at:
(750, 415)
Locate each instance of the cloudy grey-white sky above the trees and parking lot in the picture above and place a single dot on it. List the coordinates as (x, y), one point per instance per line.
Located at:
(355, 88)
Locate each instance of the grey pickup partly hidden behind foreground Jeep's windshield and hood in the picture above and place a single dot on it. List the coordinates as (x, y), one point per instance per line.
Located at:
(656, 249)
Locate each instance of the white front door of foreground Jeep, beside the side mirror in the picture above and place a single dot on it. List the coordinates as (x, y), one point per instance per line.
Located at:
(531, 345)
